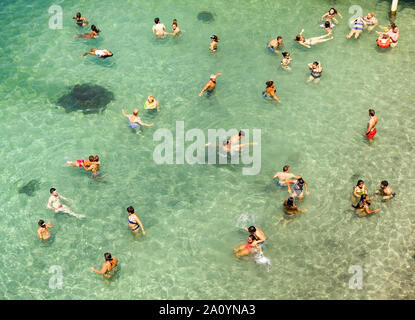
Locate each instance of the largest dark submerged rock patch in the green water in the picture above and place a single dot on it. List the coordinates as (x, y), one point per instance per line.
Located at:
(86, 97)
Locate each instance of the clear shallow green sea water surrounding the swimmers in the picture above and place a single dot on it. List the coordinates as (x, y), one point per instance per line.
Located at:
(191, 213)
